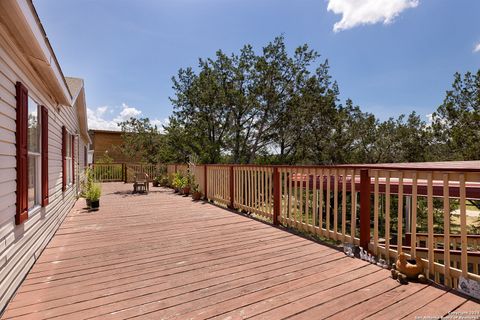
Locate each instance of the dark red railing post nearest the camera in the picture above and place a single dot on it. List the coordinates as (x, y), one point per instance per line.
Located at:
(364, 208)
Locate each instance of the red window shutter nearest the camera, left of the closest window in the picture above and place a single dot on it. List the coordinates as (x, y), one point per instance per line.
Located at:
(22, 153)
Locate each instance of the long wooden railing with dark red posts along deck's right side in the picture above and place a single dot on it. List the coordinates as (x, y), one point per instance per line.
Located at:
(383, 209)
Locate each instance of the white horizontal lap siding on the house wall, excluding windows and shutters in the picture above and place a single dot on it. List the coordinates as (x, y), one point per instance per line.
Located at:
(21, 245)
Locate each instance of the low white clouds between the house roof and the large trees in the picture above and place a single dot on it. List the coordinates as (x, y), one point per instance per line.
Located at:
(106, 117)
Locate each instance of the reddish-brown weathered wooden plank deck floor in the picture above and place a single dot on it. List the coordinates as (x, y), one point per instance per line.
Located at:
(162, 256)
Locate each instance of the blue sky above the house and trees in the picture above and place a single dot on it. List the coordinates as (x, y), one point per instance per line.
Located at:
(389, 56)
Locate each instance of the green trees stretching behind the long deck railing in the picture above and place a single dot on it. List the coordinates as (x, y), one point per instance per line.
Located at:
(275, 107)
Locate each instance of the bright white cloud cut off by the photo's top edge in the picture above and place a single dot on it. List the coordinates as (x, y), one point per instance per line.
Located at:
(360, 12)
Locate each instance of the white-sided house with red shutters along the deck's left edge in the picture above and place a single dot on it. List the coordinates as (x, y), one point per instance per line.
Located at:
(44, 137)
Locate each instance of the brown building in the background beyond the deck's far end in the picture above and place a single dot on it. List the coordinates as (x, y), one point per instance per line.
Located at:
(106, 144)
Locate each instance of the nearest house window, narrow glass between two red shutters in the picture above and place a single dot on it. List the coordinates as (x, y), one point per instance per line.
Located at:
(34, 154)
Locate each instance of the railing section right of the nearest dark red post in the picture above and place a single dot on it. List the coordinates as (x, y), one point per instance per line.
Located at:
(448, 255)
